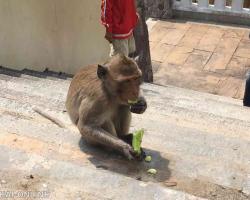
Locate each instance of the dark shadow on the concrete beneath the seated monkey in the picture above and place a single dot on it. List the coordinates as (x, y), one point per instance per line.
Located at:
(114, 162)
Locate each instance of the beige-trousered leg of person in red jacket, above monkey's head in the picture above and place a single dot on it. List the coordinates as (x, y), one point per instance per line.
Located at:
(119, 46)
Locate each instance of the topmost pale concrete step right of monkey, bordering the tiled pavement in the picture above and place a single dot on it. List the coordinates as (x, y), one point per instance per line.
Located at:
(209, 103)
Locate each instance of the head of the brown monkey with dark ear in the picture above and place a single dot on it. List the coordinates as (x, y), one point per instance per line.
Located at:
(121, 77)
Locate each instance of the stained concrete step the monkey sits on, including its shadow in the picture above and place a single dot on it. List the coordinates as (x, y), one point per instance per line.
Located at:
(180, 154)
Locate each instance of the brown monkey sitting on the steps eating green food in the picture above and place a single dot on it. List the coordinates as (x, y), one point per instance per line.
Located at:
(97, 103)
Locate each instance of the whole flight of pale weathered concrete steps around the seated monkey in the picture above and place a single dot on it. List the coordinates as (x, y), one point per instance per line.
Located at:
(199, 144)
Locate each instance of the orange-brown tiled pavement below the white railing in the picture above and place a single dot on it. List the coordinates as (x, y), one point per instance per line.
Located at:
(199, 56)
